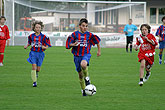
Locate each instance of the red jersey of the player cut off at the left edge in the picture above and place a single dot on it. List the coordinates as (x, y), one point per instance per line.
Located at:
(4, 33)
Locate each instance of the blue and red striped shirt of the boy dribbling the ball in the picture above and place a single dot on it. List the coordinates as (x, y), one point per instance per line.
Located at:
(85, 41)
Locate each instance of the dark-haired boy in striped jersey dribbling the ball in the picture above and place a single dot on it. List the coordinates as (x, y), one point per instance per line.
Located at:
(81, 42)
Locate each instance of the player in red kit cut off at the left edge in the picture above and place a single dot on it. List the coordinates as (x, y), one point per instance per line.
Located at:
(4, 36)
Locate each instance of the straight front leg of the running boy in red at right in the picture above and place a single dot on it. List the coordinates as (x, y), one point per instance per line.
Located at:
(142, 66)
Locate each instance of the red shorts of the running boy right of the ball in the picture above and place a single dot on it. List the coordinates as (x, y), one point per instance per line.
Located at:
(149, 59)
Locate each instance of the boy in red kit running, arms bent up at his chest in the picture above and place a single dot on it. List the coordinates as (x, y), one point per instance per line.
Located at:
(146, 53)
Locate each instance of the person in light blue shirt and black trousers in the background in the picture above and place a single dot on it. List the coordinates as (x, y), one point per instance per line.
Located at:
(129, 32)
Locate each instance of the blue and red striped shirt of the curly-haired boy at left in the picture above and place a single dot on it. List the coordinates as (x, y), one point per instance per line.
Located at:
(36, 42)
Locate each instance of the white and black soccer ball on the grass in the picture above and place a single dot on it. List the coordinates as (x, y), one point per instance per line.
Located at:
(90, 90)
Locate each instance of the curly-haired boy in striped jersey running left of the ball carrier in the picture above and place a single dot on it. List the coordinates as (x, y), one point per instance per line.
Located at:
(39, 43)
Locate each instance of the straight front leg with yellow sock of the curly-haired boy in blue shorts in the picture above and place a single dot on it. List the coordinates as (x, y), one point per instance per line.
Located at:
(33, 75)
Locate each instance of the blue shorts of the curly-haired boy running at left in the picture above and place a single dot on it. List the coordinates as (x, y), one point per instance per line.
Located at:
(36, 58)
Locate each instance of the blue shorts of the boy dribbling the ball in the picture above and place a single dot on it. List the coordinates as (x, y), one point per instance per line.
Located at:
(78, 59)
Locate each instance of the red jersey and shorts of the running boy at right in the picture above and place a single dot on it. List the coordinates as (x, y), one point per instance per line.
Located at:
(147, 50)
